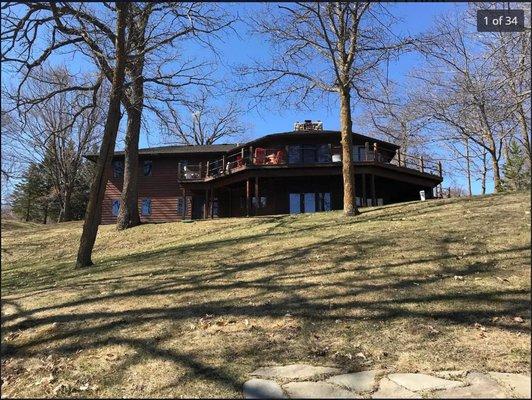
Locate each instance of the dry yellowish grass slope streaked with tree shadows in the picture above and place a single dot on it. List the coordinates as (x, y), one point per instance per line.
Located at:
(191, 309)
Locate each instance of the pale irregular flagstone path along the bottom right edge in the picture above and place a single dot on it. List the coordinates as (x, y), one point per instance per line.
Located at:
(308, 381)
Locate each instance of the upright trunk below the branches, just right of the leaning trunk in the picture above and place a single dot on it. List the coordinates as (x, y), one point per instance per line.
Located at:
(129, 211)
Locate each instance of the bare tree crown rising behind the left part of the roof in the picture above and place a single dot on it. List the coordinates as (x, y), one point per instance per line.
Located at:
(203, 122)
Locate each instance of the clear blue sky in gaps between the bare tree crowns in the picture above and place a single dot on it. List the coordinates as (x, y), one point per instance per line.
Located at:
(240, 46)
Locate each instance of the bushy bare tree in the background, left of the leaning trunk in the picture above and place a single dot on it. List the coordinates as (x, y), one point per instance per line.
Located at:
(49, 137)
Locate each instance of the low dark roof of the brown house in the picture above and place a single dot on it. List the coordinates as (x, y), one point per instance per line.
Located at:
(223, 148)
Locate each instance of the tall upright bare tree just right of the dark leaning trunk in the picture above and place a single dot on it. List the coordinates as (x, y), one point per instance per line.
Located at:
(154, 29)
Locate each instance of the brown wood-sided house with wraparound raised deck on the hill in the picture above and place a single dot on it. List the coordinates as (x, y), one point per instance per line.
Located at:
(289, 172)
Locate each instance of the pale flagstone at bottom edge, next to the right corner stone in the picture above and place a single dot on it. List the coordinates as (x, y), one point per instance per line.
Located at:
(481, 386)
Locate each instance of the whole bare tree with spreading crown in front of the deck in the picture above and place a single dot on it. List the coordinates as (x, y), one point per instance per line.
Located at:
(325, 48)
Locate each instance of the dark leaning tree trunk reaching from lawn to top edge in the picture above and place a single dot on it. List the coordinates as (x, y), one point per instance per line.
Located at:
(94, 206)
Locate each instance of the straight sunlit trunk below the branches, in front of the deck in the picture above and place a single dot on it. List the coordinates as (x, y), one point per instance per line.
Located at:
(348, 170)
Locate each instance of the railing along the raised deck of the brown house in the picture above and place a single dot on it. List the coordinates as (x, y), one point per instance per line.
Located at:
(279, 156)
